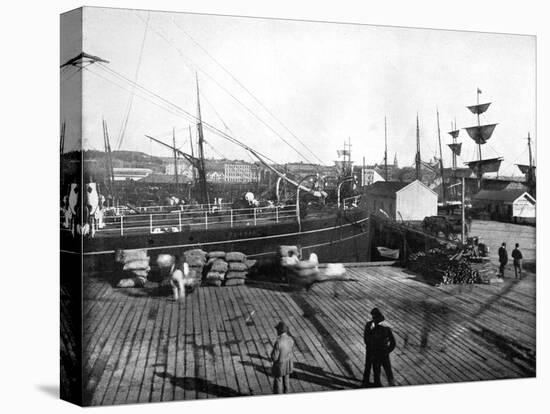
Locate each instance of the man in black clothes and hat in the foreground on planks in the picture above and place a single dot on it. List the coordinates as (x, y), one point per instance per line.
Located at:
(379, 343)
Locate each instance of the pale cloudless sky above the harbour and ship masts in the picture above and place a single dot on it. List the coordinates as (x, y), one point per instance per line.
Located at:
(270, 83)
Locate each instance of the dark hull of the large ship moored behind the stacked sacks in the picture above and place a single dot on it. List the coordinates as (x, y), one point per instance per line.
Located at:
(342, 237)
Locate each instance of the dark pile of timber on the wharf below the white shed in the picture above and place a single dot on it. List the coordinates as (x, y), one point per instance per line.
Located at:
(443, 267)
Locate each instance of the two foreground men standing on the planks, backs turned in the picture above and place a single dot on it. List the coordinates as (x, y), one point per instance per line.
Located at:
(379, 343)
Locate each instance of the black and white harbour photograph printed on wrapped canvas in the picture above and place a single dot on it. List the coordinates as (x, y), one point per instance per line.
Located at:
(252, 206)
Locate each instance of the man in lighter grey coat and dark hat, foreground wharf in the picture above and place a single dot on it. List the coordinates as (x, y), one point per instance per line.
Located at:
(281, 356)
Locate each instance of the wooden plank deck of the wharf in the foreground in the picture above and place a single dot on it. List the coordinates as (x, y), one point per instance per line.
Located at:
(144, 347)
